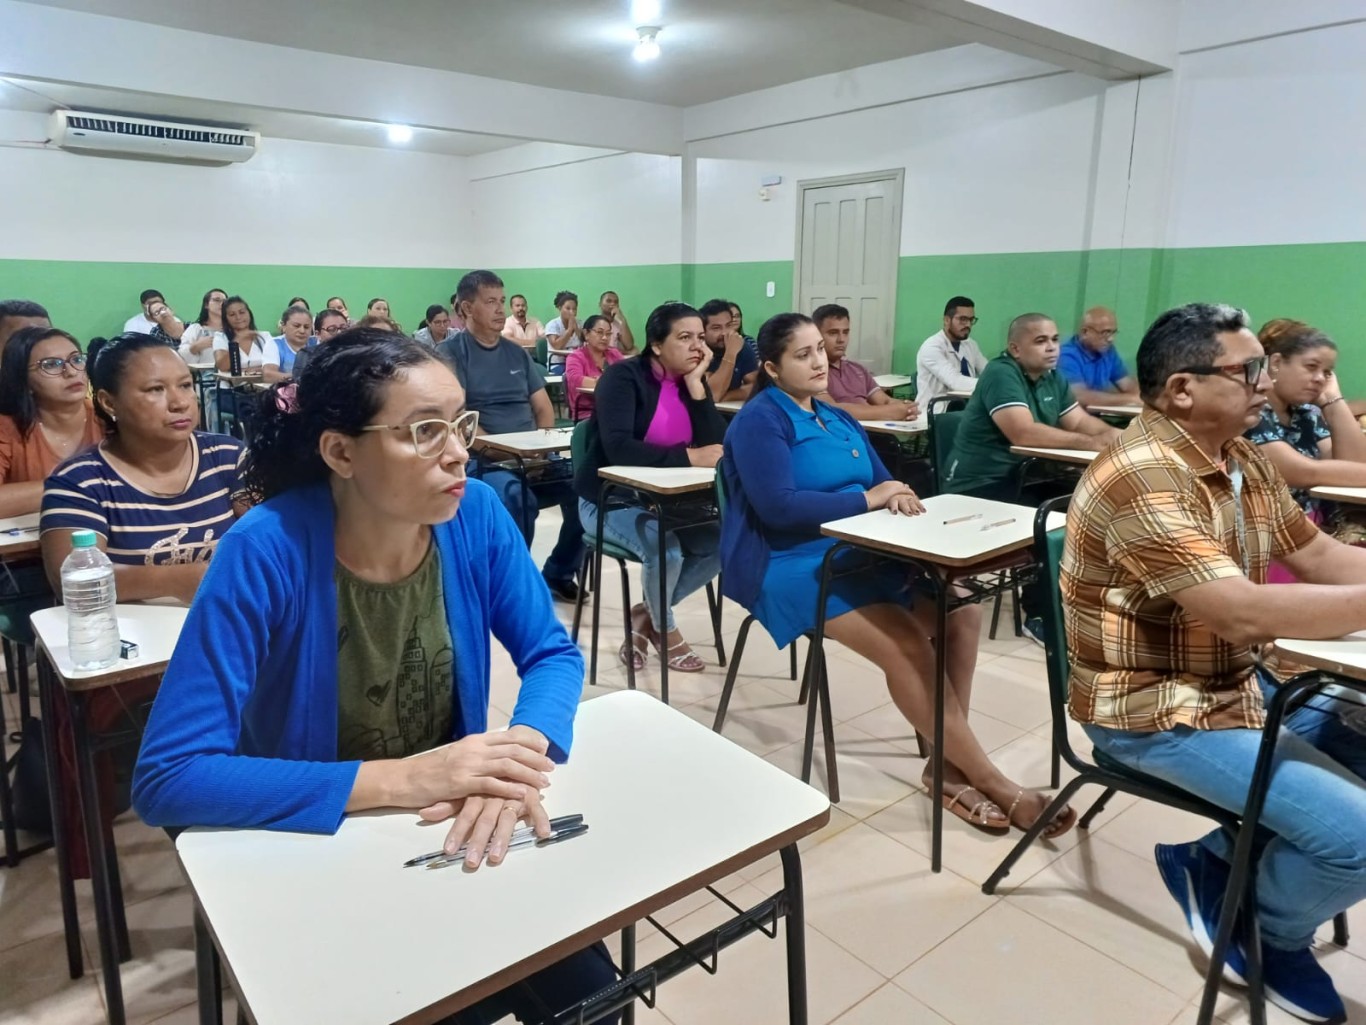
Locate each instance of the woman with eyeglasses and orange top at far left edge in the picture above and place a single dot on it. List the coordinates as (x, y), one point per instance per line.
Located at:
(46, 413)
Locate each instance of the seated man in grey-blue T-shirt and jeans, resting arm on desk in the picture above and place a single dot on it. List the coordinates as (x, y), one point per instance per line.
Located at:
(507, 390)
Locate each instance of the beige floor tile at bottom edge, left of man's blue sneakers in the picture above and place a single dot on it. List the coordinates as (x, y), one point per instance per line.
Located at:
(1009, 967)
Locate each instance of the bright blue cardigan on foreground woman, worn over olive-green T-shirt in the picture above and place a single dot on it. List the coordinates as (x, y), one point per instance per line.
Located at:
(245, 728)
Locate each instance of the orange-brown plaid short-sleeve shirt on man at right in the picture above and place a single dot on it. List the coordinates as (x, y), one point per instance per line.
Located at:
(1152, 517)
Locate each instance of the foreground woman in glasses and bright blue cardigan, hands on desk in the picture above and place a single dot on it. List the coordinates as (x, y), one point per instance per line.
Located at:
(368, 532)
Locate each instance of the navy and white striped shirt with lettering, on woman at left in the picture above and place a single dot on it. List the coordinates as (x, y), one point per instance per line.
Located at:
(143, 530)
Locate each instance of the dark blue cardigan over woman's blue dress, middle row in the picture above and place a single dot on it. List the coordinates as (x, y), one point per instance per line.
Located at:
(762, 495)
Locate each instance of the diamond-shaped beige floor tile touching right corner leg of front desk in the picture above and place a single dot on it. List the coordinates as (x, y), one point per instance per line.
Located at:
(880, 901)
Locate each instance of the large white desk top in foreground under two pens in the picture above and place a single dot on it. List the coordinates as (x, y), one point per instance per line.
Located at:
(670, 807)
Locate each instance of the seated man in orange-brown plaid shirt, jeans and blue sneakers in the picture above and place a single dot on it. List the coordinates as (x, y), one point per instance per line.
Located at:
(1167, 606)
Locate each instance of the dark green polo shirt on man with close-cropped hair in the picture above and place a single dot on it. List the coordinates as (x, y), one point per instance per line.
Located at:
(981, 453)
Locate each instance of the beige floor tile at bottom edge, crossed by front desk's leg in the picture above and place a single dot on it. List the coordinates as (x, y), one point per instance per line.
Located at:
(751, 985)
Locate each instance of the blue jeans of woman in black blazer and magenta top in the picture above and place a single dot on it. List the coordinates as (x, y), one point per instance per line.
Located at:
(692, 554)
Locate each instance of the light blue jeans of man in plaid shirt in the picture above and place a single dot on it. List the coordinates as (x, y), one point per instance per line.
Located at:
(1313, 864)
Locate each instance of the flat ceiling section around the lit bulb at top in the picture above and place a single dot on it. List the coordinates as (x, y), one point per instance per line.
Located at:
(711, 49)
